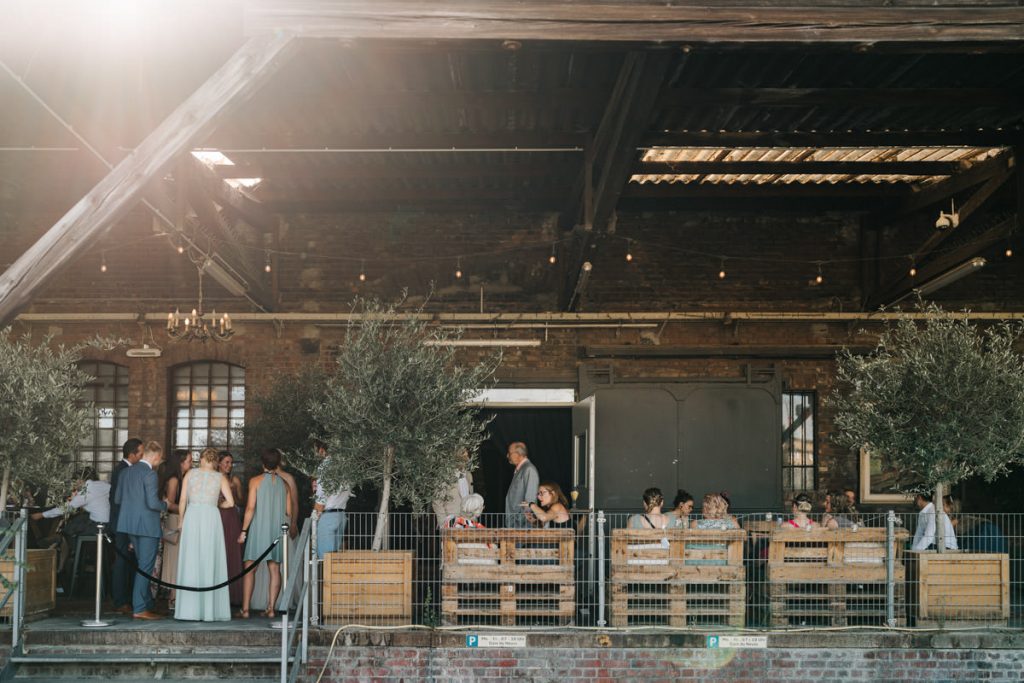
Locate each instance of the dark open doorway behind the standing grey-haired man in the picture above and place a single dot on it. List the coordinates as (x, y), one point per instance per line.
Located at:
(548, 436)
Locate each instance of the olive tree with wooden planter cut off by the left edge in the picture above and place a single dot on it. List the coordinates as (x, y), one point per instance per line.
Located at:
(42, 422)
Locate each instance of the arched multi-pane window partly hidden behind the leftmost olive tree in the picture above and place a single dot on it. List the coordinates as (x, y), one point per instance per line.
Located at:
(108, 396)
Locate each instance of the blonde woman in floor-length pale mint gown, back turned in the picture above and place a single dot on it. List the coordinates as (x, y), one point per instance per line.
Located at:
(202, 561)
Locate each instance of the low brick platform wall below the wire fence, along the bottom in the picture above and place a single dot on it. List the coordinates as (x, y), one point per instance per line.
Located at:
(596, 657)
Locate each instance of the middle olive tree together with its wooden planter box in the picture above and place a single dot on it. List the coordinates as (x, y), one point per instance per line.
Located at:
(395, 418)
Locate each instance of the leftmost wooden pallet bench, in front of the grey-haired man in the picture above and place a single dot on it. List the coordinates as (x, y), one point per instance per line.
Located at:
(508, 577)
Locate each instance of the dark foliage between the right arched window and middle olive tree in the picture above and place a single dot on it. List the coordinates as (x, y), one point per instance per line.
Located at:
(285, 418)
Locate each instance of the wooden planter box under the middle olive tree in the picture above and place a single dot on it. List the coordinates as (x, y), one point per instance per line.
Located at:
(368, 588)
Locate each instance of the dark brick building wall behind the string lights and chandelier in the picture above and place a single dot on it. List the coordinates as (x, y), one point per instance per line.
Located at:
(674, 270)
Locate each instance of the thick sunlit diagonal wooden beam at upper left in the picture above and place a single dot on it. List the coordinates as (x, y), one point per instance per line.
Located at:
(114, 196)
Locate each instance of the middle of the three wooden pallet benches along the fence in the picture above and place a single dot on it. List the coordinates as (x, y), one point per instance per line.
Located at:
(678, 578)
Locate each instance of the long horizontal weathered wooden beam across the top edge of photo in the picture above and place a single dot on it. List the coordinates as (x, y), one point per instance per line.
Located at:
(632, 22)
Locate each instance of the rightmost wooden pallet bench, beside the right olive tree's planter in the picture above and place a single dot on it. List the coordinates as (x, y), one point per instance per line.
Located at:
(826, 577)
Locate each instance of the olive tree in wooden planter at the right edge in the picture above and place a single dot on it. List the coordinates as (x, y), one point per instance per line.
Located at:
(941, 400)
